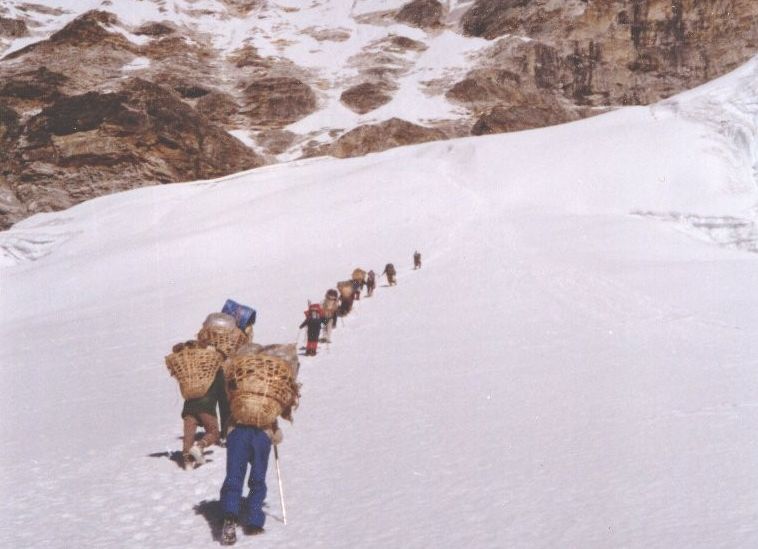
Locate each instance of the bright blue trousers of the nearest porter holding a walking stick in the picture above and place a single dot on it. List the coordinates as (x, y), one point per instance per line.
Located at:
(246, 445)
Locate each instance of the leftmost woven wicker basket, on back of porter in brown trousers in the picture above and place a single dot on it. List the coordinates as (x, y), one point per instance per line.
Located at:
(194, 365)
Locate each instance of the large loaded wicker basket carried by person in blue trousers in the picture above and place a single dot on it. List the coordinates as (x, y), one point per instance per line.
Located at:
(263, 386)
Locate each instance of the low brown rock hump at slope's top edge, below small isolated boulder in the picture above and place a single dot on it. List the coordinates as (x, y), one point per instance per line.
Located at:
(379, 137)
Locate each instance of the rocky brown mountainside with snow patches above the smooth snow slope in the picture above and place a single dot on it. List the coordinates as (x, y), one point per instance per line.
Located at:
(98, 96)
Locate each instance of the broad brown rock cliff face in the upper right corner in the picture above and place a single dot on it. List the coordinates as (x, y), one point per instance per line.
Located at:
(616, 52)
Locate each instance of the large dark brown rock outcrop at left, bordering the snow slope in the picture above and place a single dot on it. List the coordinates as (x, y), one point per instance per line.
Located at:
(97, 143)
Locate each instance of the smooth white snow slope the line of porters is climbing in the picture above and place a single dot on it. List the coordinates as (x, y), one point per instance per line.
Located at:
(565, 370)
